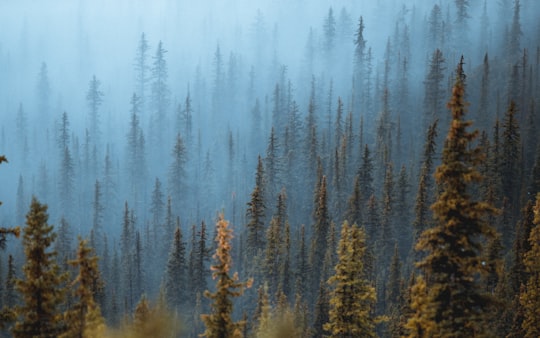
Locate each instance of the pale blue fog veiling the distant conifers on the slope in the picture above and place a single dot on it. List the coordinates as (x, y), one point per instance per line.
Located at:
(224, 60)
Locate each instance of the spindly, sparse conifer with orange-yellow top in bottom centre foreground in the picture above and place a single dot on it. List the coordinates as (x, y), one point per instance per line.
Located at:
(219, 323)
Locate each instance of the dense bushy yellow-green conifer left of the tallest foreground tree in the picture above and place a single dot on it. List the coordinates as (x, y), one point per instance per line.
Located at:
(352, 297)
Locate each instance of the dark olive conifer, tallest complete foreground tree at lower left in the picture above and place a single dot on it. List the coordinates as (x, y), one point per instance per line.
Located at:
(40, 290)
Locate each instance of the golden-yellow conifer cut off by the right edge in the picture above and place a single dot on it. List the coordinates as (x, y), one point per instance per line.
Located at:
(530, 298)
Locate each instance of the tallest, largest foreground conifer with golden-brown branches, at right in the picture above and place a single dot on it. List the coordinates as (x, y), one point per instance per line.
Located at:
(448, 301)
